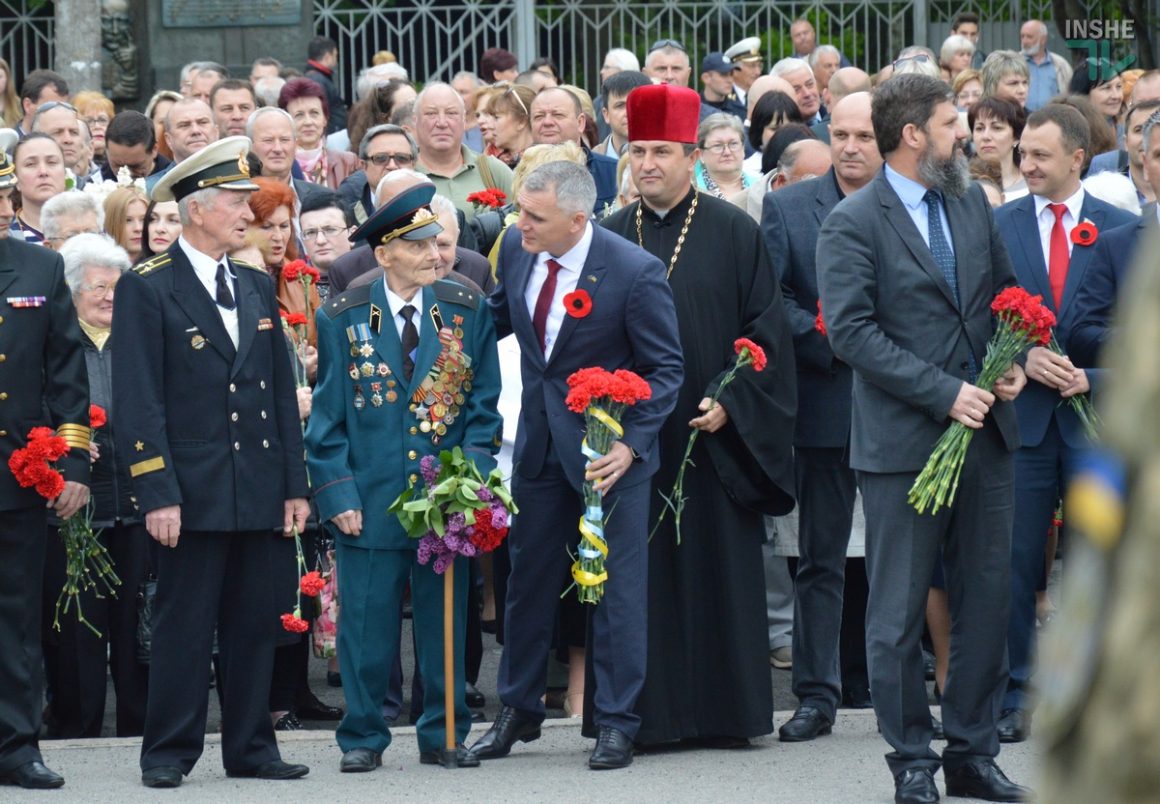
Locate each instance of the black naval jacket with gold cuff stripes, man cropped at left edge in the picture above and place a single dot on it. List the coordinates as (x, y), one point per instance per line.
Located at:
(43, 382)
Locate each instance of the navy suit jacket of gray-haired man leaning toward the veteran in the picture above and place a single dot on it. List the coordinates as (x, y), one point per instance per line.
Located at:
(633, 325)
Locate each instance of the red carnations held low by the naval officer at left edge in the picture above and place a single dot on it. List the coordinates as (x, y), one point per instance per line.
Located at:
(88, 563)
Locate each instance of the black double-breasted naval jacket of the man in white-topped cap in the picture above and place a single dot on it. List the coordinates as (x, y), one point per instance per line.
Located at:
(202, 425)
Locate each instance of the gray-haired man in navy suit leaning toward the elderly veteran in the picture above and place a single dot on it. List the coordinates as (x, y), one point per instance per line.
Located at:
(633, 325)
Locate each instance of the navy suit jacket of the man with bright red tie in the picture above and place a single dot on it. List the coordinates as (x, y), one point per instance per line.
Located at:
(1038, 404)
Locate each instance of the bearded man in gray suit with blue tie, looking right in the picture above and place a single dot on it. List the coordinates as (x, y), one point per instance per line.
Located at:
(908, 270)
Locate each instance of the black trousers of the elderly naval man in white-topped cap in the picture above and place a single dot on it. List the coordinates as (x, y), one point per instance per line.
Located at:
(212, 580)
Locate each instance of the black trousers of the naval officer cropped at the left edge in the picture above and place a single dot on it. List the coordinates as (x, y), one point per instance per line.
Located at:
(23, 544)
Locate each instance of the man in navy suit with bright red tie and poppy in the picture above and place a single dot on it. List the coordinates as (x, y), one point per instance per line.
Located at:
(1039, 234)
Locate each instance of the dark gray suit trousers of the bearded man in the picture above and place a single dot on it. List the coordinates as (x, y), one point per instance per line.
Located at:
(974, 539)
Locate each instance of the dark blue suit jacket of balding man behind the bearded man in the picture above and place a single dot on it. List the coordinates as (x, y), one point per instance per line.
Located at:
(791, 222)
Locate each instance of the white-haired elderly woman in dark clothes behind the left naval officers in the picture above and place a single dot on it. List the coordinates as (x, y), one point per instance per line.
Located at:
(76, 658)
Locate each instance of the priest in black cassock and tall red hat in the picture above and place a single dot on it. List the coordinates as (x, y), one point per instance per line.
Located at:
(708, 678)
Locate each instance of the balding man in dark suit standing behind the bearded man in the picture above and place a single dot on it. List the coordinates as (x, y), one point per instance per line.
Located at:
(822, 462)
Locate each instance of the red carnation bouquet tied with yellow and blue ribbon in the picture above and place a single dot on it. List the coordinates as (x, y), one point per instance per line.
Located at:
(603, 397)
